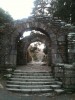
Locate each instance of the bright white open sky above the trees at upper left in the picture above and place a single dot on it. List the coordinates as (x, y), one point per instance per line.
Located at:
(18, 9)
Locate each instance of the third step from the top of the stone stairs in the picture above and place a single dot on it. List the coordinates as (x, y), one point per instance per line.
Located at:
(32, 77)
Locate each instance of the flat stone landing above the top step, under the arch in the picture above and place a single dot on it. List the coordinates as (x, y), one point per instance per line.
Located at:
(35, 67)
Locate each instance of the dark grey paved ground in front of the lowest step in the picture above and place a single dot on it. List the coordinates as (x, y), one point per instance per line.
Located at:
(4, 95)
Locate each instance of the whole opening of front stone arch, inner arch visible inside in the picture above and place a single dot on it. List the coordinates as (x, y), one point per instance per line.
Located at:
(42, 43)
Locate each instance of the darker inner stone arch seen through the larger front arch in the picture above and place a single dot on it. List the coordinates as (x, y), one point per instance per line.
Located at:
(25, 42)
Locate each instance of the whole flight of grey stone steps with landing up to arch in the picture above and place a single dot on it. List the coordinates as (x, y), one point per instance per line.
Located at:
(34, 79)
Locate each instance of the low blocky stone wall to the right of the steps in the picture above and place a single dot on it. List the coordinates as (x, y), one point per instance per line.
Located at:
(66, 74)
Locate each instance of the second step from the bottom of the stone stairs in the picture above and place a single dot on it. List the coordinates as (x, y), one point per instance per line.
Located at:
(29, 86)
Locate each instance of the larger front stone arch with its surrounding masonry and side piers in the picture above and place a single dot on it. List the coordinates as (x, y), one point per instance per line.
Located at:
(52, 29)
